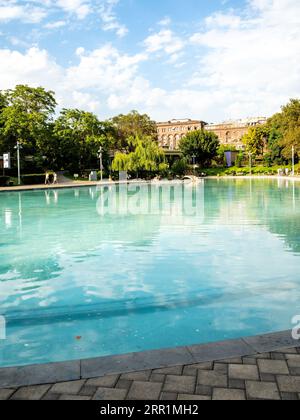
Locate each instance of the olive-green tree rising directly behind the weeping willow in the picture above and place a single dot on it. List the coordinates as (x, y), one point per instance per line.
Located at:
(132, 125)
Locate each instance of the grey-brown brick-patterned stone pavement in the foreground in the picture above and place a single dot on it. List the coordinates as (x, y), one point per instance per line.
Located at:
(267, 376)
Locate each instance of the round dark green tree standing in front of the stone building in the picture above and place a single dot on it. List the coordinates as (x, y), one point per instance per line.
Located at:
(201, 144)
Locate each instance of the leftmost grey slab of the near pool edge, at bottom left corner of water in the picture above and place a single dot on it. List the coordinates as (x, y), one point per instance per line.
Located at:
(39, 374)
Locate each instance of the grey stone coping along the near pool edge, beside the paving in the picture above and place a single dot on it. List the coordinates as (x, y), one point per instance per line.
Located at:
(134, 362)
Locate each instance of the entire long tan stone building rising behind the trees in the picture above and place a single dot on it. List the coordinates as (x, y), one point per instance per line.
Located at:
(230, 132)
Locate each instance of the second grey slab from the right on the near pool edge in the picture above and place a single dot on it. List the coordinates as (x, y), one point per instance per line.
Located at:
(220, 350)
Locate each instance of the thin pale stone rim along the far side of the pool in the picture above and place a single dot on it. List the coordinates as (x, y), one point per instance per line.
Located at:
(82, 184)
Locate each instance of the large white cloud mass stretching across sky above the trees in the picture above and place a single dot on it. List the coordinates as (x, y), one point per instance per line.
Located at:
(243, 63)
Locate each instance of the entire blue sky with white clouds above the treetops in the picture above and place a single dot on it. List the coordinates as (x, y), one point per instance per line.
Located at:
(211, 60)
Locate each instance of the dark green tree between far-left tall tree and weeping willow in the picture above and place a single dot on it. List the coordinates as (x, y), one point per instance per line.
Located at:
(77, 138)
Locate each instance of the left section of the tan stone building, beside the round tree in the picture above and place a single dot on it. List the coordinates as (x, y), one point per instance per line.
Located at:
(171, 132)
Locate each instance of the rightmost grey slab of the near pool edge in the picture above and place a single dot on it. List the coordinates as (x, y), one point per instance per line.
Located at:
(272, 342)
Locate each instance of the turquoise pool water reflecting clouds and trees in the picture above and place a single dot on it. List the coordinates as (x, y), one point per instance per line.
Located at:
(100, 271)
